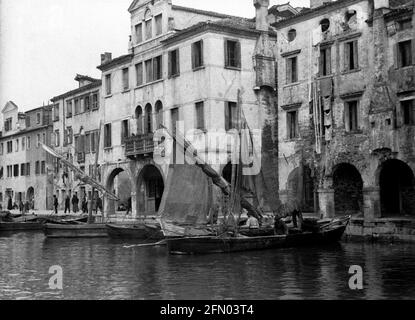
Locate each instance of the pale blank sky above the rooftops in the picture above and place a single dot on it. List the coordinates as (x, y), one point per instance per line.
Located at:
(45, 43)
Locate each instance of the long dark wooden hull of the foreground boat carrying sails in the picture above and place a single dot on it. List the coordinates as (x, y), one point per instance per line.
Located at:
(209, 245)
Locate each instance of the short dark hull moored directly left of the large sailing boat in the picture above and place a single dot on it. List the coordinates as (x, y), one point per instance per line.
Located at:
(140, 231)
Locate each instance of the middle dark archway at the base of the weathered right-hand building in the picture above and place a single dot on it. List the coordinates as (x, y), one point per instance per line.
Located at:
(348, 190)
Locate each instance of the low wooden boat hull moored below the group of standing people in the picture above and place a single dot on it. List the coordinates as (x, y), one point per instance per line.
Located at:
(75, 231)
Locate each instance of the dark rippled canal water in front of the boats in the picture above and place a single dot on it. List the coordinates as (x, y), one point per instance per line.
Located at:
(104, 269)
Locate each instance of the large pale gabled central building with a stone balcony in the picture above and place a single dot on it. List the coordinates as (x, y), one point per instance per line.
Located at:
(184, 66)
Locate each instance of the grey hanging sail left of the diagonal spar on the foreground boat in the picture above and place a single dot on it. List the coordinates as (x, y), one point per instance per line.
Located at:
(186, 197)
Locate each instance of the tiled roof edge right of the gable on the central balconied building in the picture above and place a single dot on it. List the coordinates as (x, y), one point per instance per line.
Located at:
(232, 25)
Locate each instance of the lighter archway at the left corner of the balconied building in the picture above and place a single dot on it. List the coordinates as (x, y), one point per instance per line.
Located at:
(119, 183)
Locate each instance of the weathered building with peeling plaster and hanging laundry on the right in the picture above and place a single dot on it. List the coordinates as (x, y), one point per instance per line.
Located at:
(346, 105)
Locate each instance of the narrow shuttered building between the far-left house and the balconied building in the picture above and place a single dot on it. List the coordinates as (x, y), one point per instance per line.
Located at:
(76, 126)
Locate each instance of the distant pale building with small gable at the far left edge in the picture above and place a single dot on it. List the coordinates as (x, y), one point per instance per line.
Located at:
(24, 166)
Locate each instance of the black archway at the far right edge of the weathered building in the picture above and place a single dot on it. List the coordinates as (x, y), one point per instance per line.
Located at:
(397, 189)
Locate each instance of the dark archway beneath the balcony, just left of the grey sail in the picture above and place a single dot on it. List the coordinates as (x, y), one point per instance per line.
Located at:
(150, 189)
